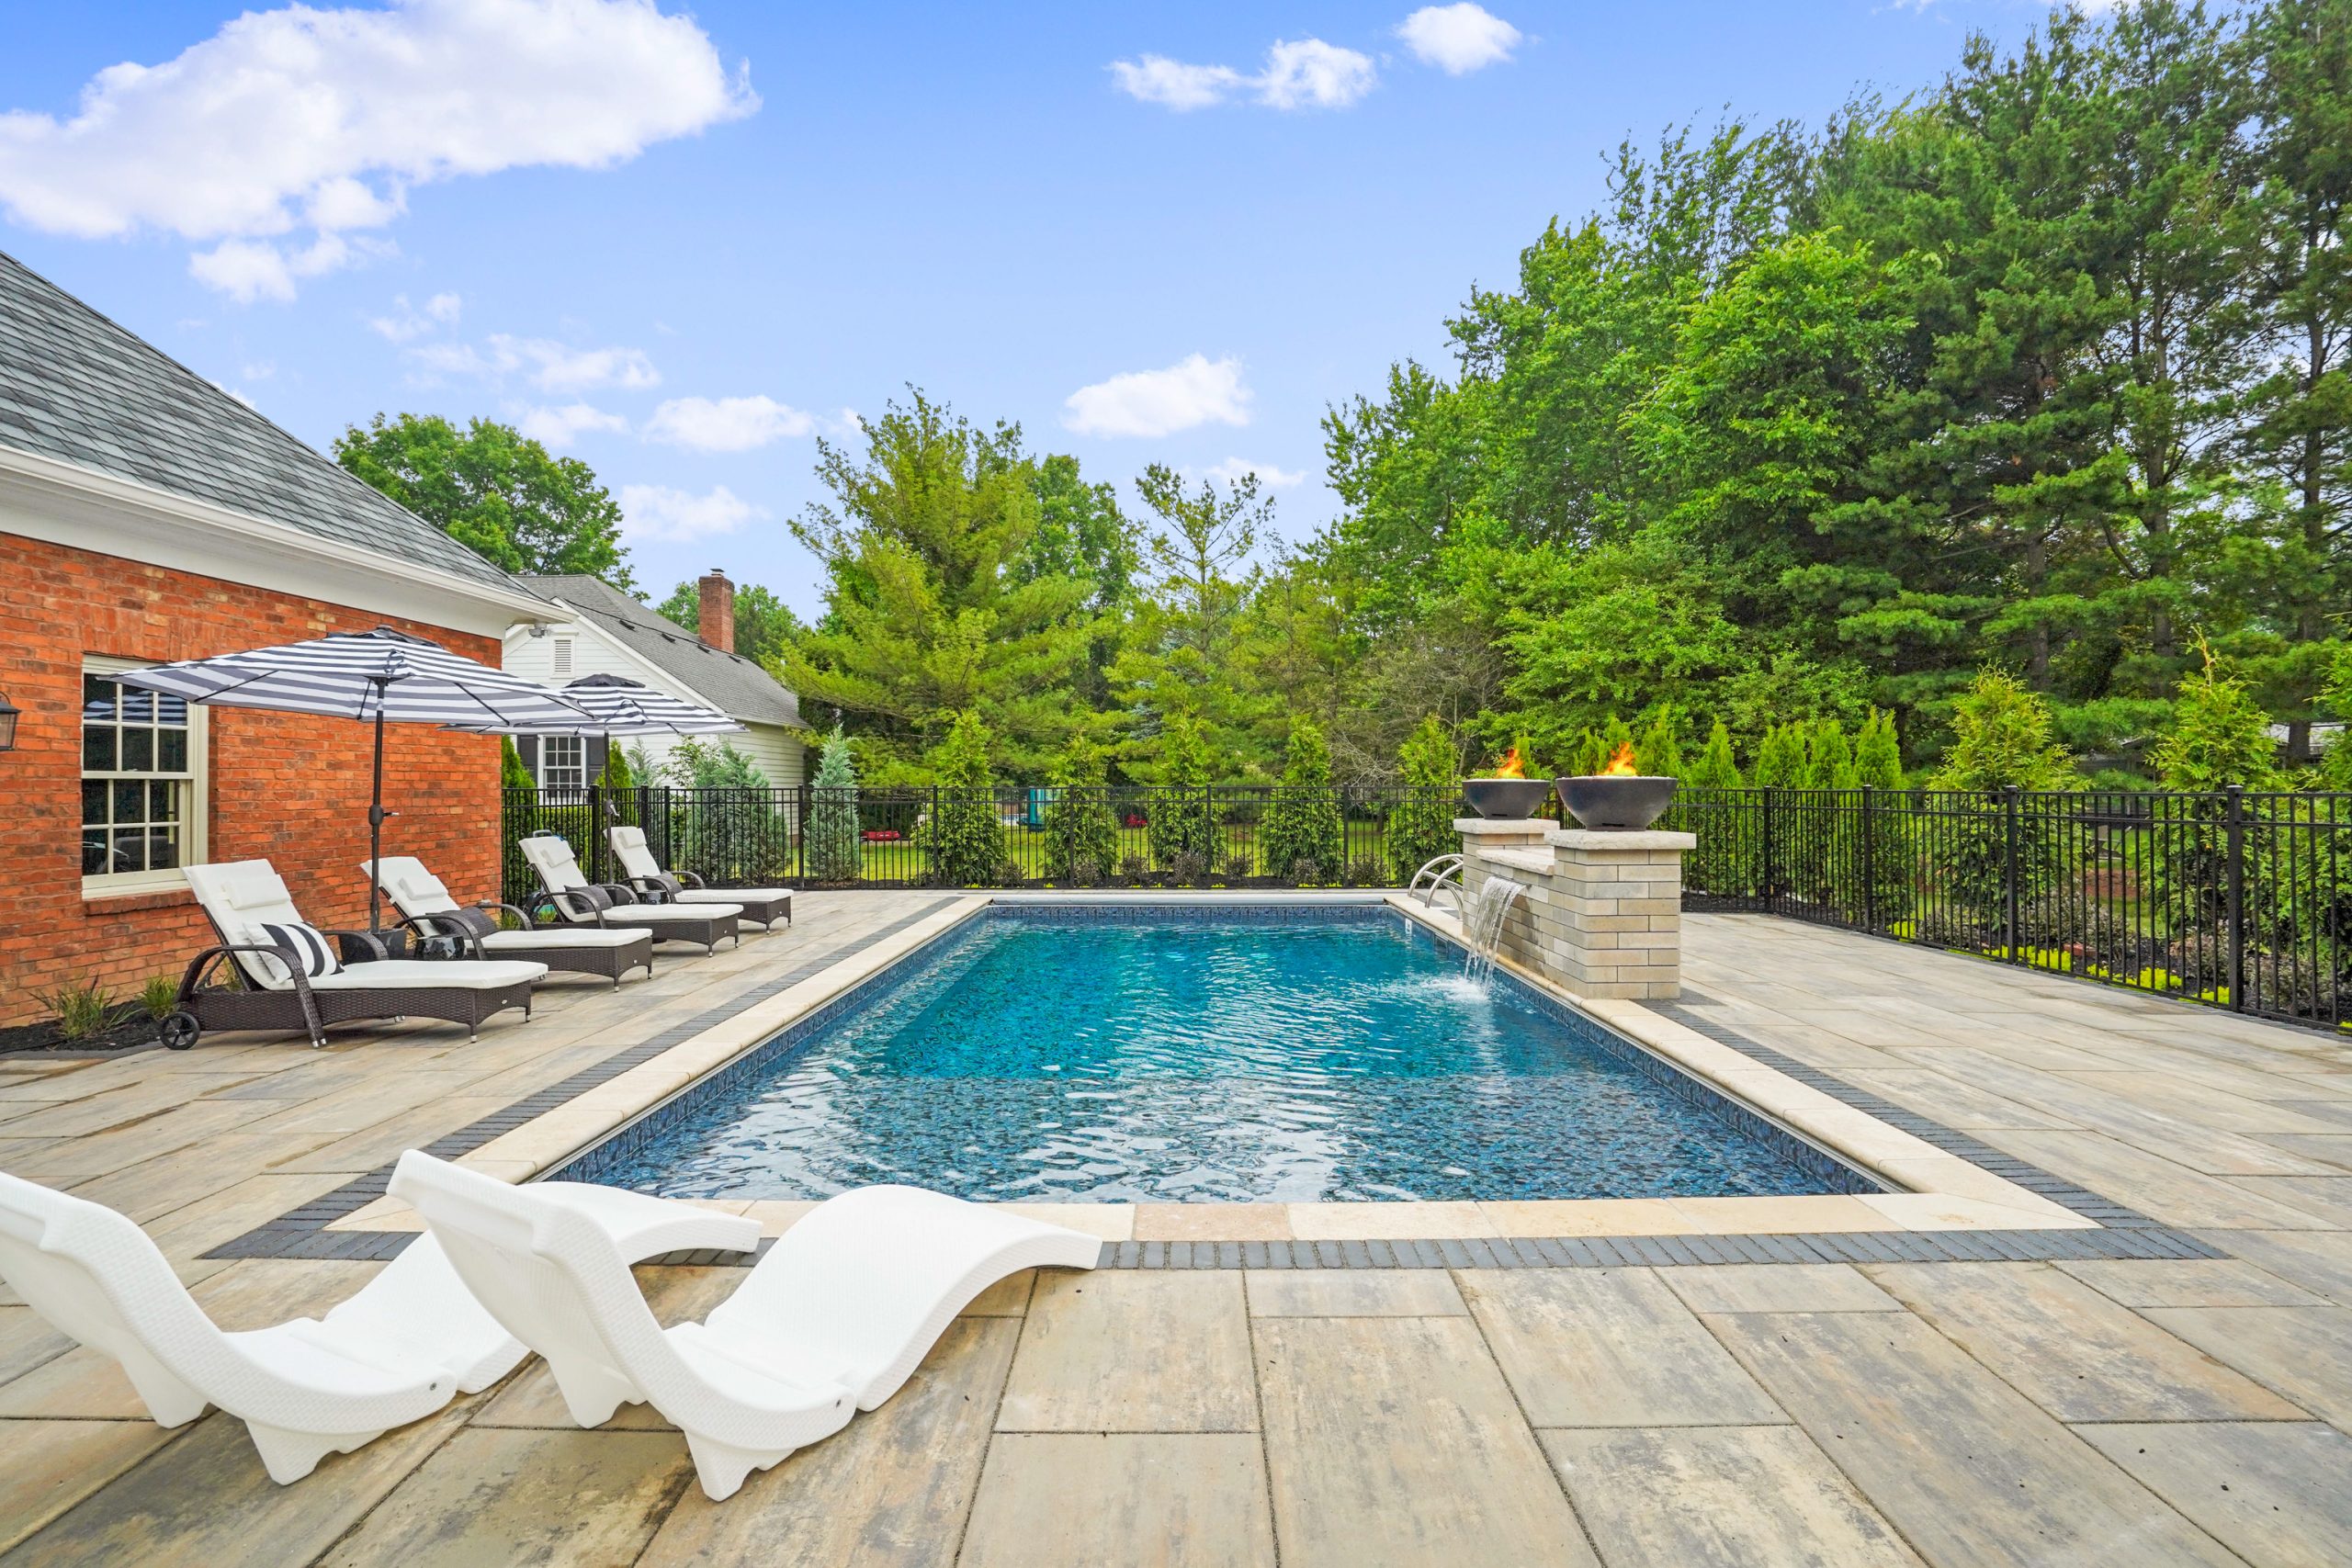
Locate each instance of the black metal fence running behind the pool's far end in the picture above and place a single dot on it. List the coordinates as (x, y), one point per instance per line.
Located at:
(886, 838)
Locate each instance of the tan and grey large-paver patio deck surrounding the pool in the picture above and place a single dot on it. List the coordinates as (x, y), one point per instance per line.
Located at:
(2132, 1412)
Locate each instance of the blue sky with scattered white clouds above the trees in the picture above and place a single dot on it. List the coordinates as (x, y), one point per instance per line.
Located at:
(690, 243)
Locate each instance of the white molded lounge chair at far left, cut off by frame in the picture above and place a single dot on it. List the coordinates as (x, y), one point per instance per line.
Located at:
(396, 1351)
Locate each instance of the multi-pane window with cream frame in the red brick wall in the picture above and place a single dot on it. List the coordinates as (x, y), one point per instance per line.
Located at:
(142, 784)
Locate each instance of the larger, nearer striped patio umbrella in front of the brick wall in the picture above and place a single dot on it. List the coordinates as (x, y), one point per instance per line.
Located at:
(377, 676)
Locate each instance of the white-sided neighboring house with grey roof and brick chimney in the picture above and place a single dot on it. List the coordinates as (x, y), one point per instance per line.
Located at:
(596, 629)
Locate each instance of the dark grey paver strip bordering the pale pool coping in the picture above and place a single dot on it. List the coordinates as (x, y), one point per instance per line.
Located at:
(2123, 1233)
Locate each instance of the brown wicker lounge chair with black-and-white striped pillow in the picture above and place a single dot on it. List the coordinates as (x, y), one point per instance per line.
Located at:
(246, 897)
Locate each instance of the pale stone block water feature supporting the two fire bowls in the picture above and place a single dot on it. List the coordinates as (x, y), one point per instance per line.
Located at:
(1603, 911)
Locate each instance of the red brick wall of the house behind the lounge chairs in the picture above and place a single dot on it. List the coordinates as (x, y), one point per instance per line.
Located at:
(286, 789)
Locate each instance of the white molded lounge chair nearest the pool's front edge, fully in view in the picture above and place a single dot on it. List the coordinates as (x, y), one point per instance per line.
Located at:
(831, 1322)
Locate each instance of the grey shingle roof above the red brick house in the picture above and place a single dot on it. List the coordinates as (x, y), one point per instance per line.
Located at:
(81, 389)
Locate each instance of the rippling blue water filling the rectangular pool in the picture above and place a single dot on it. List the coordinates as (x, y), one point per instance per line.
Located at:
(1187, 1059)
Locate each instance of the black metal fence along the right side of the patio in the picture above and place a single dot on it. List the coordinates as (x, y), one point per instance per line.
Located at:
(2233, 899)
